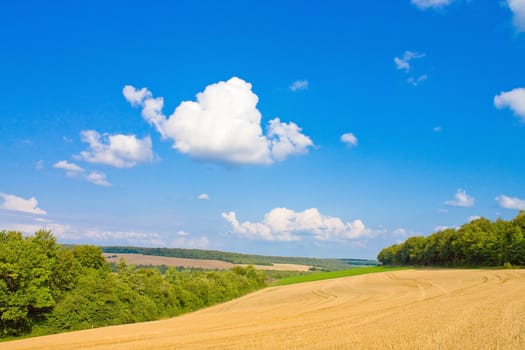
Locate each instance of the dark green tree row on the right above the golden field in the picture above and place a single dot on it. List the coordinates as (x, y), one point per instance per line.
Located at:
(478, 243)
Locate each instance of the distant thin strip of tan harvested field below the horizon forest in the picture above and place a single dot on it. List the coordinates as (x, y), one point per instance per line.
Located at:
(139, 259)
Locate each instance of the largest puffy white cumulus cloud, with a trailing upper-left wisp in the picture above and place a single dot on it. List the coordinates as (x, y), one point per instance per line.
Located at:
(223, 124)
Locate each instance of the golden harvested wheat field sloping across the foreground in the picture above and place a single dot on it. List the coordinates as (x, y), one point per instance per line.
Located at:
(410, 309)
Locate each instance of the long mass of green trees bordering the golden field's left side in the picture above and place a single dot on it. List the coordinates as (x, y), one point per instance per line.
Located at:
(47, 288)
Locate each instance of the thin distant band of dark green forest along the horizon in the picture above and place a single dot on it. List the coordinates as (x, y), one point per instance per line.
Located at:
(238, 258)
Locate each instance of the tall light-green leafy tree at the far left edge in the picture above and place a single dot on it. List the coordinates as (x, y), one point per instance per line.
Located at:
(32, 279)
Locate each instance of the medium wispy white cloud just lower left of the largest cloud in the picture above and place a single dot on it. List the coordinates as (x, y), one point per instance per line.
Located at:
(120, 151)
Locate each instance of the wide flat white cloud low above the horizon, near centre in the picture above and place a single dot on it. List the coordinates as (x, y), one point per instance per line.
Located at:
(281, 224)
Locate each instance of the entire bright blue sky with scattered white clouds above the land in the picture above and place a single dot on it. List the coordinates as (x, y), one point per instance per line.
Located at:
(327, 129)
